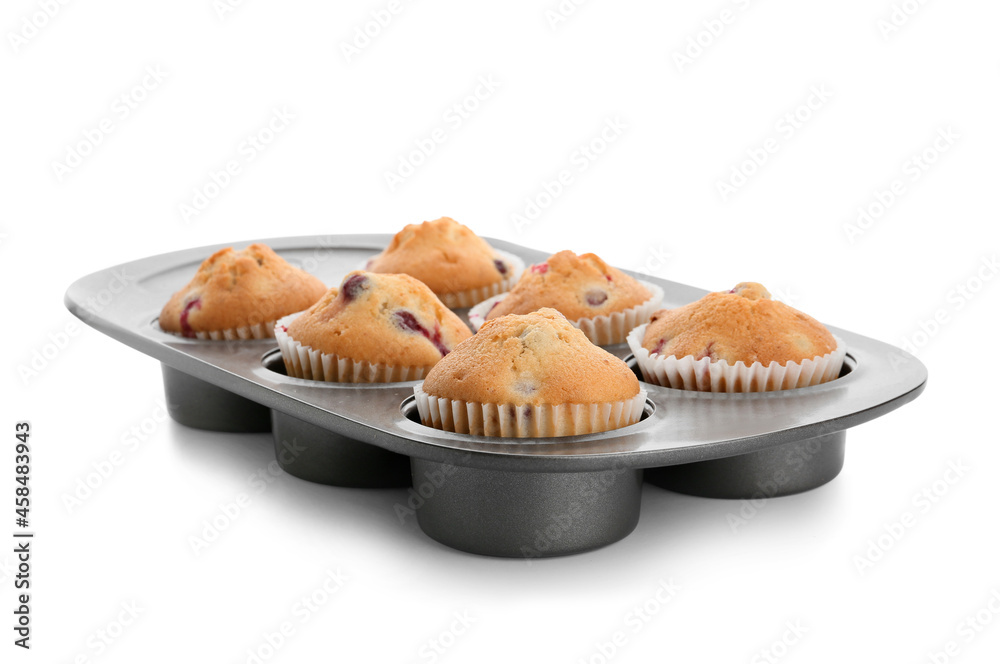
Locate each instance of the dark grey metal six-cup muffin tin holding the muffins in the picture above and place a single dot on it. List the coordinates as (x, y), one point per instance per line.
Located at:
(521, 498)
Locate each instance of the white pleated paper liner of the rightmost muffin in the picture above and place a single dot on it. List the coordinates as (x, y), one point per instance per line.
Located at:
(707, 375)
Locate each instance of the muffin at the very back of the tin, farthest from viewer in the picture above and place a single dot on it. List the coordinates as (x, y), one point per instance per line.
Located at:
(458, 265)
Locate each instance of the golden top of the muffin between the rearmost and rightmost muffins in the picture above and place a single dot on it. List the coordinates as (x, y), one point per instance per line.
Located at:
(577, 286)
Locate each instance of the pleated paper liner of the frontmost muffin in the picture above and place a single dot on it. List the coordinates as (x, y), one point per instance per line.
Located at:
(526, 421)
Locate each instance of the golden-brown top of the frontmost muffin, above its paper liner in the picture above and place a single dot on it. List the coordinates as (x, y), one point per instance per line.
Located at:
(536, 358)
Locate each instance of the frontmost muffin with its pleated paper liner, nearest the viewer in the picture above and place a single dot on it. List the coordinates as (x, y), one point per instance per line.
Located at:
(529, 375)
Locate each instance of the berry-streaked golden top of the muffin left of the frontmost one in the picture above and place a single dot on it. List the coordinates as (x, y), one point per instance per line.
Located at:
(380, 318)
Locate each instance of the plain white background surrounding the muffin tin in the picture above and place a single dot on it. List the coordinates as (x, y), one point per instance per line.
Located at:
(654, 190)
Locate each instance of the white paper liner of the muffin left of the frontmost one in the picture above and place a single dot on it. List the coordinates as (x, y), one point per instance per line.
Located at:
(306, 362)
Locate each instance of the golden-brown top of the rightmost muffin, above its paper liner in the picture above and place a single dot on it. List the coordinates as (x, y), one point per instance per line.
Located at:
(743, 324)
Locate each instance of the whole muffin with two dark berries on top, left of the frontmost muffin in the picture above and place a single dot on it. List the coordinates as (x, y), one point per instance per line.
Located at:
(374, 328)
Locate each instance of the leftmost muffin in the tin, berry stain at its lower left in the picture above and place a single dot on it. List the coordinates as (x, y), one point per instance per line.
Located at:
(239, 295)
